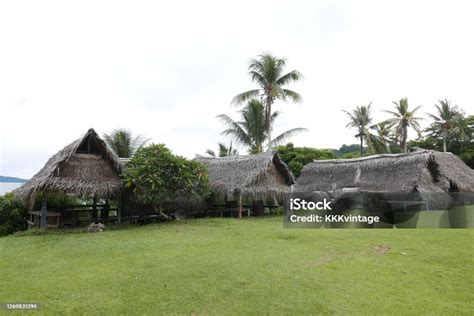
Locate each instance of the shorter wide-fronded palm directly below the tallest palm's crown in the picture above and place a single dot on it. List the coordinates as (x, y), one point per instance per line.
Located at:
(251, 132)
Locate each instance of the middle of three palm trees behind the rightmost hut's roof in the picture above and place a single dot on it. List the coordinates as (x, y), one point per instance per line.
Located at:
(402, 119)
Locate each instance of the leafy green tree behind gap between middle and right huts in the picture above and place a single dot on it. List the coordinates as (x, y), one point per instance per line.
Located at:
(297, 157)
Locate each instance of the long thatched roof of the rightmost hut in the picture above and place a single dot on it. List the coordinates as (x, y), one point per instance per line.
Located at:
(419, 171)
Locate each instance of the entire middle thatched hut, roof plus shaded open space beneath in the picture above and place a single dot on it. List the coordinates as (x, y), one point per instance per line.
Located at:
(244, 183)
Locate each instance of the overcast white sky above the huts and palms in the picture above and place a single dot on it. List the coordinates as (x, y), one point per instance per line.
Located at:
(166, 69)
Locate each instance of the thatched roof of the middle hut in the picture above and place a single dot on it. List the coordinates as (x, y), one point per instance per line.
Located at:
(254, 176)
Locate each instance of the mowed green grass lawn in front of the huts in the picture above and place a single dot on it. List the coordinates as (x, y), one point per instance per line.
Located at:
(249, 266)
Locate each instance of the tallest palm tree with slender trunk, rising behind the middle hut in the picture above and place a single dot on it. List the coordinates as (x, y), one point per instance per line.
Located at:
(268, 72)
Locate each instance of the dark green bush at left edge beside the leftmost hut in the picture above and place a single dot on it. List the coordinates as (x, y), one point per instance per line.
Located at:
(12, 215)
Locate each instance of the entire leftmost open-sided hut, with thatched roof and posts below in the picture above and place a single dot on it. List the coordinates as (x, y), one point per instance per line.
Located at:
(88, 169)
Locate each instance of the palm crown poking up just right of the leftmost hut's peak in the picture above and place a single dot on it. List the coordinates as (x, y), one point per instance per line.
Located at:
(123, 143)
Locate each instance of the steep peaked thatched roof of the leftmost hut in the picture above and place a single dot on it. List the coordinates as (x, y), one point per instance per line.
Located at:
(85, 167)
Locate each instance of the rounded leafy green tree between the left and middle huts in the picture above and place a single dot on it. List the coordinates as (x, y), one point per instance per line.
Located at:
(156, 176)
